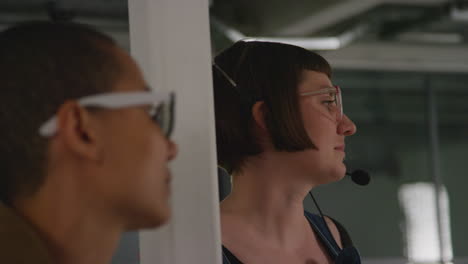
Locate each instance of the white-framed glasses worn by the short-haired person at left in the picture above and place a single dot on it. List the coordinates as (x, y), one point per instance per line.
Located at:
(161, 108)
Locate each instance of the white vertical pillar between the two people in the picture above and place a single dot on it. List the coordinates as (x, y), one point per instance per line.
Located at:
(170, 39)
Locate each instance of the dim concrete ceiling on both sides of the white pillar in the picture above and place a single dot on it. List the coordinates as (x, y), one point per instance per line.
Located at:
(428, 35)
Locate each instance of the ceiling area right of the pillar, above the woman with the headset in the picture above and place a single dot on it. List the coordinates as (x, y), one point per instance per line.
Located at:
(416, 35)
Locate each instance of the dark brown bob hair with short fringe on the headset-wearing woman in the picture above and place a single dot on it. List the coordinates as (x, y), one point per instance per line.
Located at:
(262, 71)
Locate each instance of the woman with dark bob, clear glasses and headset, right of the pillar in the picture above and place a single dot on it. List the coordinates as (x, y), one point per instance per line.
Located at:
(280, 132)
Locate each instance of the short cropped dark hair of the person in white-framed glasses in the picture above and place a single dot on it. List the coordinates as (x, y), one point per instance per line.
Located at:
(43, 64)
